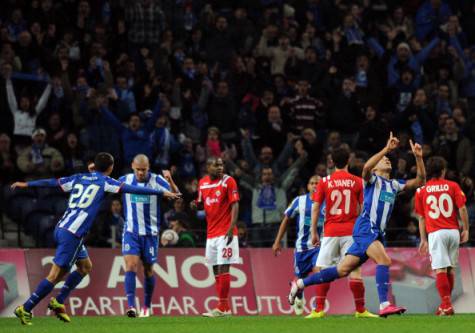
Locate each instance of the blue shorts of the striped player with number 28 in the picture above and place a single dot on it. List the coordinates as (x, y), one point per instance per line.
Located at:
(69, 248)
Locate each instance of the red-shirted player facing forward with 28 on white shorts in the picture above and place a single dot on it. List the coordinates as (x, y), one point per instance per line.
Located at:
(218, 196)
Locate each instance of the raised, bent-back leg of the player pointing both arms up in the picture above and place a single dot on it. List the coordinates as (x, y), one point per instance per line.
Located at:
(344, 268)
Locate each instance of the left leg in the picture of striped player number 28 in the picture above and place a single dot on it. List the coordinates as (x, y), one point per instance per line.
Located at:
(23, 312)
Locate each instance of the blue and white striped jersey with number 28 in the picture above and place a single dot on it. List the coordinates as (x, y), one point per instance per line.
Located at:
(87, 191)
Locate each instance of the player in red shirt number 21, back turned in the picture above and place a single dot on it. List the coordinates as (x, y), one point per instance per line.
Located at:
(343, 193)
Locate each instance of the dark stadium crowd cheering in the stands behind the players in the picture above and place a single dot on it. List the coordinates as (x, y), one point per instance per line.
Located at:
(271, 86)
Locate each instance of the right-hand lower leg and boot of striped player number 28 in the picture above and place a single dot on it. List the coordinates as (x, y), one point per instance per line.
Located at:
(83, 268)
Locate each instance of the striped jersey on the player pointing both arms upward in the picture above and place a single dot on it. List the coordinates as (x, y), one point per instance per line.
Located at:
(379, 198)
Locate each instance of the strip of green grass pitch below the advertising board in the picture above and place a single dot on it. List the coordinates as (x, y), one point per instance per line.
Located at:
(256, 324)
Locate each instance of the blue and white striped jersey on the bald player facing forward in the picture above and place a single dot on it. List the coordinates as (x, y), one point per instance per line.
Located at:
(142, 212)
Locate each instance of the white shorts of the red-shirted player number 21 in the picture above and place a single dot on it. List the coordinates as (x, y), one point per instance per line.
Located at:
(332, 250)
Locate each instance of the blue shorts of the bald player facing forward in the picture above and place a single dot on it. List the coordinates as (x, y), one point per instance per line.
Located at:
(146, 247)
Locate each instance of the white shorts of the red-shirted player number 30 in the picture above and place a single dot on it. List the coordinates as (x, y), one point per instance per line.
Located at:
(444, 248)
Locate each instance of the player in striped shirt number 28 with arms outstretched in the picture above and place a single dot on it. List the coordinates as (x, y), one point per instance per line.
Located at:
(87, 191)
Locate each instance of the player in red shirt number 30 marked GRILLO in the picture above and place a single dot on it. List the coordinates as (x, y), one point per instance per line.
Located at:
(435, 203)
